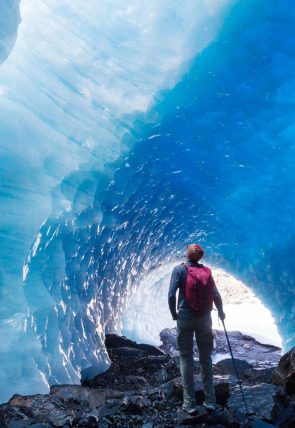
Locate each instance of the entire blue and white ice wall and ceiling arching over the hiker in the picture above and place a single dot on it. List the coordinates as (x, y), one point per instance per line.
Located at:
(129, 129)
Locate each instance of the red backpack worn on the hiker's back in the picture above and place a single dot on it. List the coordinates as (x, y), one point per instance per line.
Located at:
(199, 289)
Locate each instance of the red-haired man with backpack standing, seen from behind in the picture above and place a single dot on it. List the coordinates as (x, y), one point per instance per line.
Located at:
(197, 292)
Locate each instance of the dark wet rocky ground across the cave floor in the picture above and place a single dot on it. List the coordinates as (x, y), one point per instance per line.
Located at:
(143, 388)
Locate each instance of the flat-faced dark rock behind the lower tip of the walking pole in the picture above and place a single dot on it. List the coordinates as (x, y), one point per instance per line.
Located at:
(259, 399)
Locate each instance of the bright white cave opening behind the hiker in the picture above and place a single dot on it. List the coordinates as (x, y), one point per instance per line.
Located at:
(147, 312)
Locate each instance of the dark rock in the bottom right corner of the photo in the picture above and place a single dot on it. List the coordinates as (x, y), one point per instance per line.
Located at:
(282, 413)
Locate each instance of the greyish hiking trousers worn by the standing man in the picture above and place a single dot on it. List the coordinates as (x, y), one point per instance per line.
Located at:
(202, 328)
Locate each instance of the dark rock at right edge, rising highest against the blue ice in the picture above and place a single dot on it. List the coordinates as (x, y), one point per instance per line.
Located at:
(284, 374)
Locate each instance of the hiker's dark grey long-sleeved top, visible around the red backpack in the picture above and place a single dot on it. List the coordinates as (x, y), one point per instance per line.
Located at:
(178, 281)
